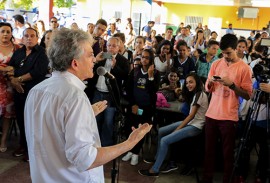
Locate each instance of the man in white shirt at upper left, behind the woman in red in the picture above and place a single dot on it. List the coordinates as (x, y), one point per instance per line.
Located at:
(19, 28)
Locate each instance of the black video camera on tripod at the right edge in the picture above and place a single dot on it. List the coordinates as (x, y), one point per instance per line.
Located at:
(262, 70)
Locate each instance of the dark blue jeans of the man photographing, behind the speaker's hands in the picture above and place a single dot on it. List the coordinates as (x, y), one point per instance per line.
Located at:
(105, 120)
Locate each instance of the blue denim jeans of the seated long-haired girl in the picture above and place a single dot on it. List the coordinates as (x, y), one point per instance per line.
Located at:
(166, 137)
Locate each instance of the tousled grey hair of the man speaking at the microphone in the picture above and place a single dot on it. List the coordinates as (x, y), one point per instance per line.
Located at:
(65, 46)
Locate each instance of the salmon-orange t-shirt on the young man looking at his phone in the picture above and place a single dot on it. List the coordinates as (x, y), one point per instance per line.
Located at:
(224, 102)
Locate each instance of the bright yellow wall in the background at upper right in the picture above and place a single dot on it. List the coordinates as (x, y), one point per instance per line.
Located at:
(176, 13)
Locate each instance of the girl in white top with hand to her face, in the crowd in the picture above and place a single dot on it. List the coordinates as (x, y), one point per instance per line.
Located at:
(163, 61)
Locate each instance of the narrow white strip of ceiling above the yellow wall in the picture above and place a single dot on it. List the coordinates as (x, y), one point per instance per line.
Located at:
(253, 3)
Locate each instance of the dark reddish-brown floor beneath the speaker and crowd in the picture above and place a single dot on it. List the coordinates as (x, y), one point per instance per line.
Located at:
(14, 170)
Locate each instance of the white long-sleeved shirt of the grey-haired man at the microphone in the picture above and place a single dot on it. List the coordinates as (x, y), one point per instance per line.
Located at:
(61, 132)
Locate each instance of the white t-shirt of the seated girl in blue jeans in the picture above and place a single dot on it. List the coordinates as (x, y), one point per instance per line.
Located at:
(200, 99)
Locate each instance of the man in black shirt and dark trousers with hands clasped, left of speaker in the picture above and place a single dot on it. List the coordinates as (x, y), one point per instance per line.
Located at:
(30, 65)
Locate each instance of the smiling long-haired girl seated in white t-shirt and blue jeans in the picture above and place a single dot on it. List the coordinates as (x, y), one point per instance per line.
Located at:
(191, 126)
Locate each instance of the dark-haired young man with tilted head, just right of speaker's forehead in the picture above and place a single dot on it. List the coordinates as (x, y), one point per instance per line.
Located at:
(99, 44)
